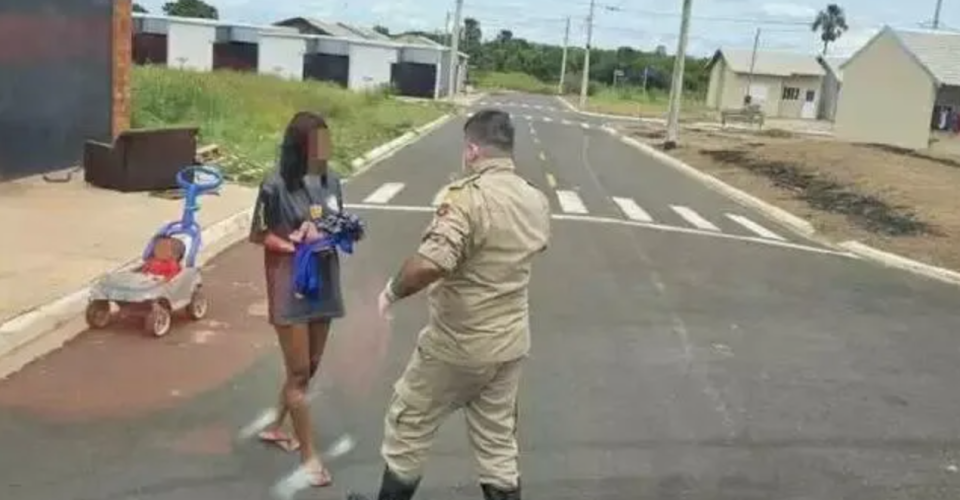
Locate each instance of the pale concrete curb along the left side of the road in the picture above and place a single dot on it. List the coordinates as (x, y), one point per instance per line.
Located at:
(48, 327)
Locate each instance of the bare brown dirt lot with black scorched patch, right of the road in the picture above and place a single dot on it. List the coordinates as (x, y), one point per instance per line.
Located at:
(901, 201)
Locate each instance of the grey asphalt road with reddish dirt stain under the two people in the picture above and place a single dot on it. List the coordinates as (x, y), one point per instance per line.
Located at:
(670, 361)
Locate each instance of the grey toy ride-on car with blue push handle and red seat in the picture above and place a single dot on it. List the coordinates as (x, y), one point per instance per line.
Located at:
(168, 280)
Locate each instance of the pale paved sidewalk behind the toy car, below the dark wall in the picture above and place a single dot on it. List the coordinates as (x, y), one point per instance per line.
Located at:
(61, 236)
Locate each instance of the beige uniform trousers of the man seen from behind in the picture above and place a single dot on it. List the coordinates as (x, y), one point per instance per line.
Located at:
(429, 390)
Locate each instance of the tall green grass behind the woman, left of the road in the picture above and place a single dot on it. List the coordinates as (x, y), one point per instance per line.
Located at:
(246, 113)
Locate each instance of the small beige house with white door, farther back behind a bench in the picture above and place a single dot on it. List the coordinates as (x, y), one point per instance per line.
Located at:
(785, 85)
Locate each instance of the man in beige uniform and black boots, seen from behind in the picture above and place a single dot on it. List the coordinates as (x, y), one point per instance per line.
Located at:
(476, 256)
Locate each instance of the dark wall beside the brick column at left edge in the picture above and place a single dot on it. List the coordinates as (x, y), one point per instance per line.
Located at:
(55, 82)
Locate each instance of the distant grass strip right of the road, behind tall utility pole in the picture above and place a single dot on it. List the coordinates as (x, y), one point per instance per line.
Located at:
(634, 101)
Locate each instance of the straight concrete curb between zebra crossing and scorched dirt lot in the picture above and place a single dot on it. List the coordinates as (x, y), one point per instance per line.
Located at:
(778, 214)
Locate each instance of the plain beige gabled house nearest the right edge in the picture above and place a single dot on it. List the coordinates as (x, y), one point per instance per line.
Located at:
(899, 87)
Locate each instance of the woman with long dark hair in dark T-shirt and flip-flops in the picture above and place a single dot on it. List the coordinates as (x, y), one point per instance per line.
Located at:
(301, 190)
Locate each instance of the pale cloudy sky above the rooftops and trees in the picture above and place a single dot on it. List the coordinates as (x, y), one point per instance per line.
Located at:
(642, 24)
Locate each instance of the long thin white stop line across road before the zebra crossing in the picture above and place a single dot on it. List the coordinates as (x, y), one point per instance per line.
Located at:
(611, 221)
